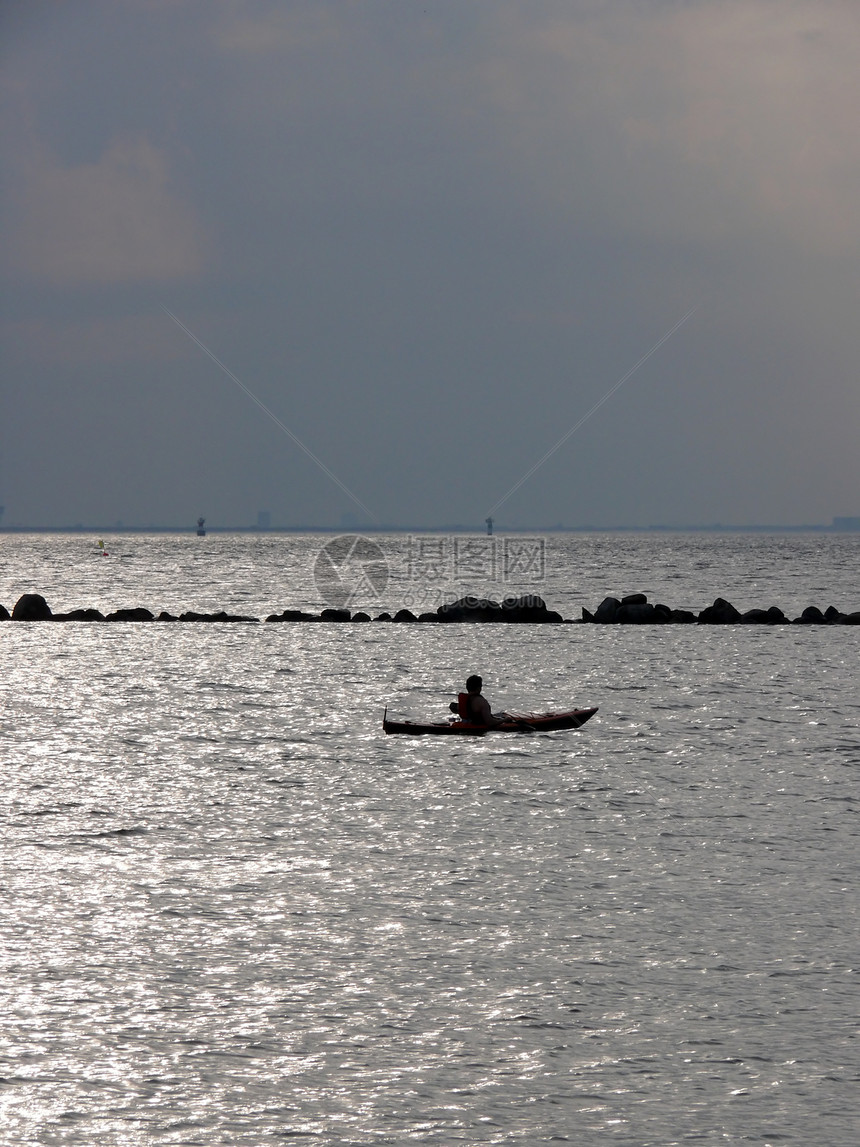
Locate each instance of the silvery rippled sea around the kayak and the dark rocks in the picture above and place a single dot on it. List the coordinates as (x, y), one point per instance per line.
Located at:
(234, 912)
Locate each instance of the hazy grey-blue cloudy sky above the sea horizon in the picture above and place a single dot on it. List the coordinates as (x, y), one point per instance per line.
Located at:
(371, 261)
